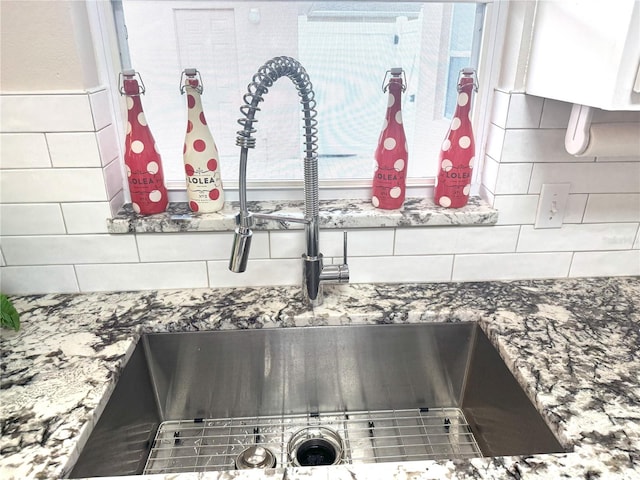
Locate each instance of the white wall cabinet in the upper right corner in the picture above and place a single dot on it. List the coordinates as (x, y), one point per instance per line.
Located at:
(586, 52)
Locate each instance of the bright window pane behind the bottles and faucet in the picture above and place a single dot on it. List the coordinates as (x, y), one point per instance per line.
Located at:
(346, 47)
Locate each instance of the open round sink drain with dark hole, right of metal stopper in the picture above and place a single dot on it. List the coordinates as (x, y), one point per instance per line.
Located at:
(312, 446)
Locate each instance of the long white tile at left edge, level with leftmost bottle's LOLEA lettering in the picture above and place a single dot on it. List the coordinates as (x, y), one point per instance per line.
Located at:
(52, 185)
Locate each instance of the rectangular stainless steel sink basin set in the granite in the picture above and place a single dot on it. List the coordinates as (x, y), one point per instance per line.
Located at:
(381, 392)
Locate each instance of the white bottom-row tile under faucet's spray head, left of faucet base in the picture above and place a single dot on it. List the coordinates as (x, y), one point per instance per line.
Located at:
(260, 272)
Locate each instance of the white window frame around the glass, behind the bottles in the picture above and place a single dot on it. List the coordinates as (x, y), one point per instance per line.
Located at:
(489, 28)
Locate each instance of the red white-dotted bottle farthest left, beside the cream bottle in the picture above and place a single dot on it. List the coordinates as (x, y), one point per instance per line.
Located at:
(141, 157)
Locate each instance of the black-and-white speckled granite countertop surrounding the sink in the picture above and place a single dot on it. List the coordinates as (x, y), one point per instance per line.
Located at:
(572, 343)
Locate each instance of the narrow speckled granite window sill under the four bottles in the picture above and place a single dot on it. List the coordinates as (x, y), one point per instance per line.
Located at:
(334, 214)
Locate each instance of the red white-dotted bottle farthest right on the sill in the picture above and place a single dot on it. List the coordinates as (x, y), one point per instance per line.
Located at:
(457, 154)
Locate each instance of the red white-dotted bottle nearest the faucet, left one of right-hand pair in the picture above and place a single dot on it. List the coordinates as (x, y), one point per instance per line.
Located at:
(389, 179)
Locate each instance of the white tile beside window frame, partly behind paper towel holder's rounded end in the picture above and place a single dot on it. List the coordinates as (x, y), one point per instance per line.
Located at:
(536, 146)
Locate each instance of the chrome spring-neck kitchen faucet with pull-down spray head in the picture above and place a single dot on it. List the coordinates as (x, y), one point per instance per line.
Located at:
(314, 272)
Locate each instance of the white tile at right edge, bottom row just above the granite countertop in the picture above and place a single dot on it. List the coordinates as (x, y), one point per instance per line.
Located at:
(586, 264)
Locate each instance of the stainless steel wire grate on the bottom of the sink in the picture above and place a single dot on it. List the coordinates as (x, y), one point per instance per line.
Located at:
(368, 437)
